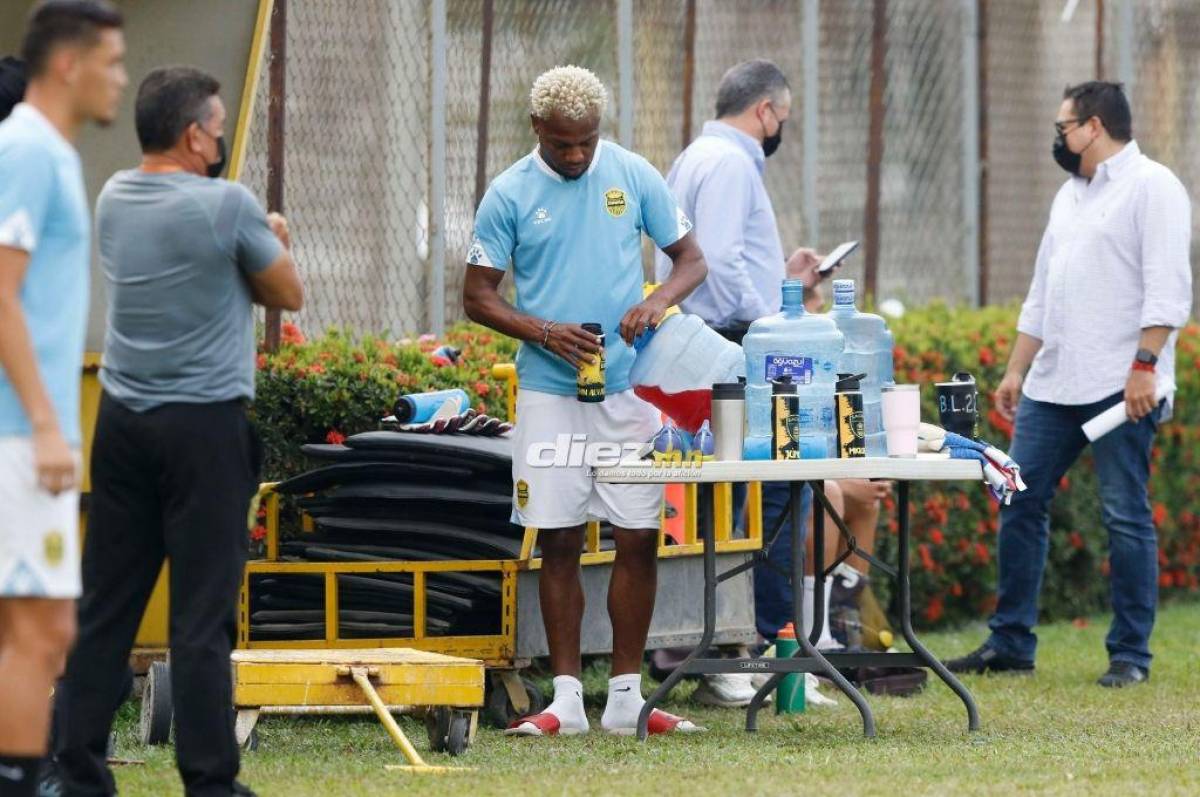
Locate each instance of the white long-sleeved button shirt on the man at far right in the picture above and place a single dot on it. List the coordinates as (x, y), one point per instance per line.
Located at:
(1114, 261)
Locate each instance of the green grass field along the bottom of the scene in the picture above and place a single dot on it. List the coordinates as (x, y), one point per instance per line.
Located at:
(1055, 733)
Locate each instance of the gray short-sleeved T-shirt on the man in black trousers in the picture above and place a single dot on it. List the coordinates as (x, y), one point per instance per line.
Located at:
(177, 251)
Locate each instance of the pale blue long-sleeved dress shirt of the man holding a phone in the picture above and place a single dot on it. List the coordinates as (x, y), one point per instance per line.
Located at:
(718, 184)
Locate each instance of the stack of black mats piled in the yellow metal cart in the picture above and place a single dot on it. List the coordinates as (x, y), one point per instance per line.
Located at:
(387, 498)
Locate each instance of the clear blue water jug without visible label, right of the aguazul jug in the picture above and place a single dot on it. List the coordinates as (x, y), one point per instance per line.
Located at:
(868, 351)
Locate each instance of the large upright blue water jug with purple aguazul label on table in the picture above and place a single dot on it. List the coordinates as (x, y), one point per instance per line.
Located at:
(807, 349)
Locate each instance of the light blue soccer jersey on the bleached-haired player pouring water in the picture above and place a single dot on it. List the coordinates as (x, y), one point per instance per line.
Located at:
(575, 249)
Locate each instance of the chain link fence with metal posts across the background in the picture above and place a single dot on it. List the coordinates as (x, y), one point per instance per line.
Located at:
(957, 141)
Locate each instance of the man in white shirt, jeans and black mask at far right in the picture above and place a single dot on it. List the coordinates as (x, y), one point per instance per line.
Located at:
(1112, 286)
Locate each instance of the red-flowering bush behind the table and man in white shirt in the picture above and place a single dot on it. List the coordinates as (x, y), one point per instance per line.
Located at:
(955, 526)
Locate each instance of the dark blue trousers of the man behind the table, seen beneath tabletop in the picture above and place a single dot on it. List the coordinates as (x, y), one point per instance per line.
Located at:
(773, 591)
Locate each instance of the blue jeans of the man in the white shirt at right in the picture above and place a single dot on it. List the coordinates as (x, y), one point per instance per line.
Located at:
(1047, 442)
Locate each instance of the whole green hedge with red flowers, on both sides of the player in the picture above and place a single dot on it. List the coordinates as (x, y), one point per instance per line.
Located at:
(323, 391)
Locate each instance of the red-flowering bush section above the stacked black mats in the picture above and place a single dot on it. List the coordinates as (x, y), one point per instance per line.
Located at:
(323, 391)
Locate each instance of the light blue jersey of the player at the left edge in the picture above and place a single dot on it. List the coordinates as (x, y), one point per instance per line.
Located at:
(44, 211)
